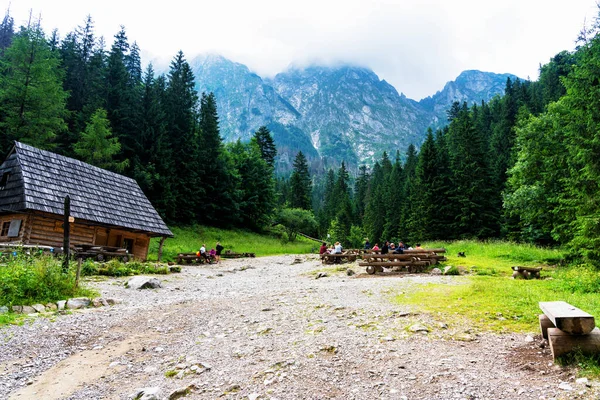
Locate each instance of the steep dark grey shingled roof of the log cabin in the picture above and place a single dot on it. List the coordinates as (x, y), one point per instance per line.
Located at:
(39, 180)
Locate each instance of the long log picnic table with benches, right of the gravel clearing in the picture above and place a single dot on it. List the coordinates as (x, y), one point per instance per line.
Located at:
(410, 260)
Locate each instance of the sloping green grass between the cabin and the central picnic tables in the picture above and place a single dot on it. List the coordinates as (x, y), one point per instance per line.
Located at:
(189, 239)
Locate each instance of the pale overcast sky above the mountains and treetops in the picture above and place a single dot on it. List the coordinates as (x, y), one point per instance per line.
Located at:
(417, 45)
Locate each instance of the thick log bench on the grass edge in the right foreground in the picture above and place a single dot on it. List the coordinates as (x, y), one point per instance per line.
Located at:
(568, 329)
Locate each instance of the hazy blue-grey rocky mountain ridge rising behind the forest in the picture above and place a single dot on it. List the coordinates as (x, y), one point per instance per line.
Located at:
(331, 113)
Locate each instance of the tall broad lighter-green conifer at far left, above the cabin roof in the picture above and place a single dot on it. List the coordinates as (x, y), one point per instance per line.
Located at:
(32, 99)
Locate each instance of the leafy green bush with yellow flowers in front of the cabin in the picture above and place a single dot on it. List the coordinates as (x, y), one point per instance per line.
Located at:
(28, 280)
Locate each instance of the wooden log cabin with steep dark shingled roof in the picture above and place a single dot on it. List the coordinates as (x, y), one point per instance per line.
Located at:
(108, 209)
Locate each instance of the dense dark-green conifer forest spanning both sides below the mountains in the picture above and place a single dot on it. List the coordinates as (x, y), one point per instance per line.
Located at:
(524, 166)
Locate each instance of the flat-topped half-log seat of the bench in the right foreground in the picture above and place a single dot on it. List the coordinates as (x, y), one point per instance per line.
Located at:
(568, 318)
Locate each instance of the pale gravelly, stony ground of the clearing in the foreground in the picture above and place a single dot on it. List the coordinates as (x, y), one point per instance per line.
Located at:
(265, 328)
